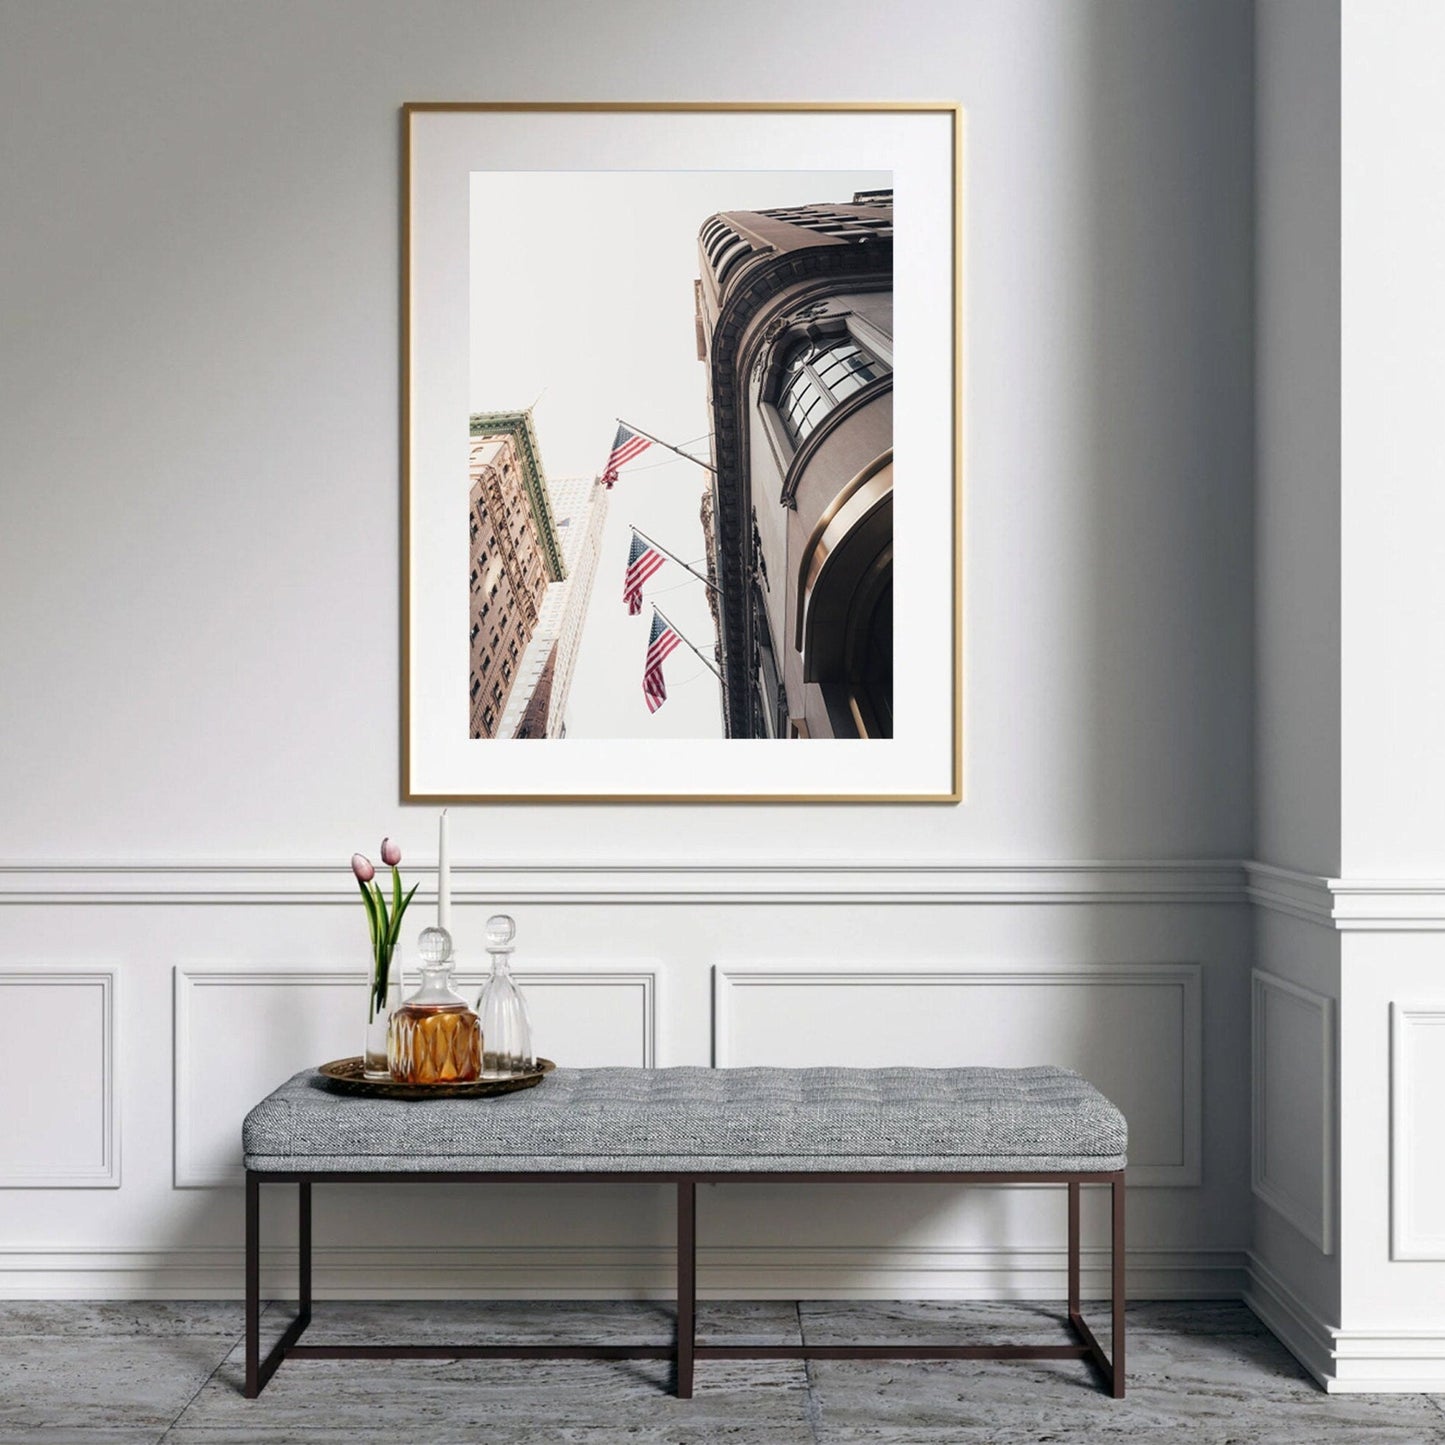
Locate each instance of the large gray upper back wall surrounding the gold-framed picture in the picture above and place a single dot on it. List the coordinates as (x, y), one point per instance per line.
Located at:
(200, 413)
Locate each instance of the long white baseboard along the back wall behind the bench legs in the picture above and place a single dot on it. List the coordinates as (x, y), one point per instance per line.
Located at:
(613, 1272)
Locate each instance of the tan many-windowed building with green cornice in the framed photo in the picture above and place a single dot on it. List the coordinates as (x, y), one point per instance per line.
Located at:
(515, 557)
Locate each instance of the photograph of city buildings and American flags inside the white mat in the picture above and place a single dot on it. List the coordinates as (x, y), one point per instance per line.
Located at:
(709, 550)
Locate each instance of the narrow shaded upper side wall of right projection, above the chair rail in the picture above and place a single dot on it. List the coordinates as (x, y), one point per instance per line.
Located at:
(1298, 436)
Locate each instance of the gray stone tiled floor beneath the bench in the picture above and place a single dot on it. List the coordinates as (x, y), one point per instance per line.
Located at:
(77, 1373)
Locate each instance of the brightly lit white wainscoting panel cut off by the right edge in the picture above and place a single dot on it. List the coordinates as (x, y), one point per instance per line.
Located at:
(1417, 1160)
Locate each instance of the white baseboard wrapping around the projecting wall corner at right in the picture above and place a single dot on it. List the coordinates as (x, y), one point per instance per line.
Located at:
(1347, 1362)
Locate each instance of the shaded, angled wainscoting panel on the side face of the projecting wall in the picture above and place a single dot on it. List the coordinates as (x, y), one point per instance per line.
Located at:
(1293, 1149)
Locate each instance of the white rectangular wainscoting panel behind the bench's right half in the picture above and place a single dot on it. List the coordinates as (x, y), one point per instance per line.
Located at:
(1132, 1030)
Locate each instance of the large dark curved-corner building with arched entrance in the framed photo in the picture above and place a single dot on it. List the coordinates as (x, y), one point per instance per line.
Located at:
(795, 327)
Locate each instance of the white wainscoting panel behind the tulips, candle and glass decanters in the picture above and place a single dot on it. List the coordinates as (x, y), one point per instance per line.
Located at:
(239, 1032)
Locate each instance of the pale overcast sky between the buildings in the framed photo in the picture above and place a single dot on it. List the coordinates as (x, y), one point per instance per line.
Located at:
(582, 307)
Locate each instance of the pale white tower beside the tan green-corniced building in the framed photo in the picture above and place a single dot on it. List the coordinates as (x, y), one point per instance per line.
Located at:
(538, 703)
